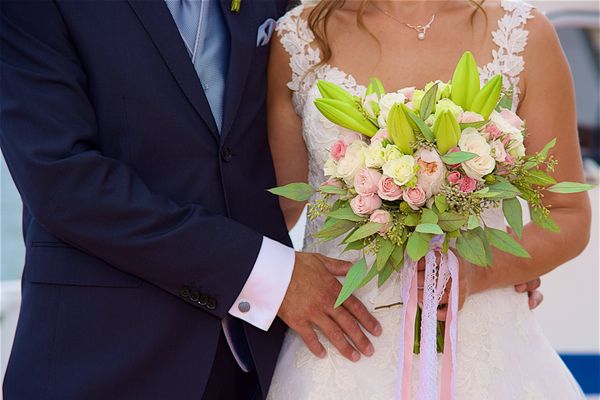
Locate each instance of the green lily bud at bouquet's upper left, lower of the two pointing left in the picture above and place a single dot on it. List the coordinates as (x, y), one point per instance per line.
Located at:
(345, 115)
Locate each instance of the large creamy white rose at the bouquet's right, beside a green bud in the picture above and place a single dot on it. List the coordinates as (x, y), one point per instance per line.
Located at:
(471, 141)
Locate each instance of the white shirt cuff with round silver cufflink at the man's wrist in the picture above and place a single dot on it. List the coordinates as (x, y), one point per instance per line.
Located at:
(263, 293)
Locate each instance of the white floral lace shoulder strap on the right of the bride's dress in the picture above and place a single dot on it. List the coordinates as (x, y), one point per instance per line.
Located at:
(511, 39)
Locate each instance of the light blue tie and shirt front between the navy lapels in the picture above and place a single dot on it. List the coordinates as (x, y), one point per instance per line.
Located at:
(202, 26)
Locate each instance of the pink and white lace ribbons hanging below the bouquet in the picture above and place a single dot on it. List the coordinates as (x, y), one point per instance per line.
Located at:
(436, 279)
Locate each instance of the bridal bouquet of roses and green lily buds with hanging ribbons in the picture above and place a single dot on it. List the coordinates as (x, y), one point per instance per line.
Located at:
(410, 177)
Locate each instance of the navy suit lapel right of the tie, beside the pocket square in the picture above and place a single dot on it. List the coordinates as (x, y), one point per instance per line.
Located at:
(243, 36)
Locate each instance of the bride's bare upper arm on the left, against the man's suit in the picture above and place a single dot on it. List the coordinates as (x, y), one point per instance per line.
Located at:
(285, 131)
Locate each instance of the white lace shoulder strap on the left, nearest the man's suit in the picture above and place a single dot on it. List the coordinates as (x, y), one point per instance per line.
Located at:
(296, 38)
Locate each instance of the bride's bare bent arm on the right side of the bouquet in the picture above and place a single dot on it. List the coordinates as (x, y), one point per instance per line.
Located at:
(548, 107)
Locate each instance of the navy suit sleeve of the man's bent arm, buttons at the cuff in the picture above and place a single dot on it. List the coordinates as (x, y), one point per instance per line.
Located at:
(48, 135)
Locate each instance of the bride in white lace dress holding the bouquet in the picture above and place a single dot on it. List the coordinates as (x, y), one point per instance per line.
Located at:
(502, 352)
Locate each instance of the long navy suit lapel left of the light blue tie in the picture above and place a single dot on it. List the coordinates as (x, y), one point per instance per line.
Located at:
(158, 22)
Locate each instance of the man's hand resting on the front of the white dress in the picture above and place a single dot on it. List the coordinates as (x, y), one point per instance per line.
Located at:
(309, 301)
